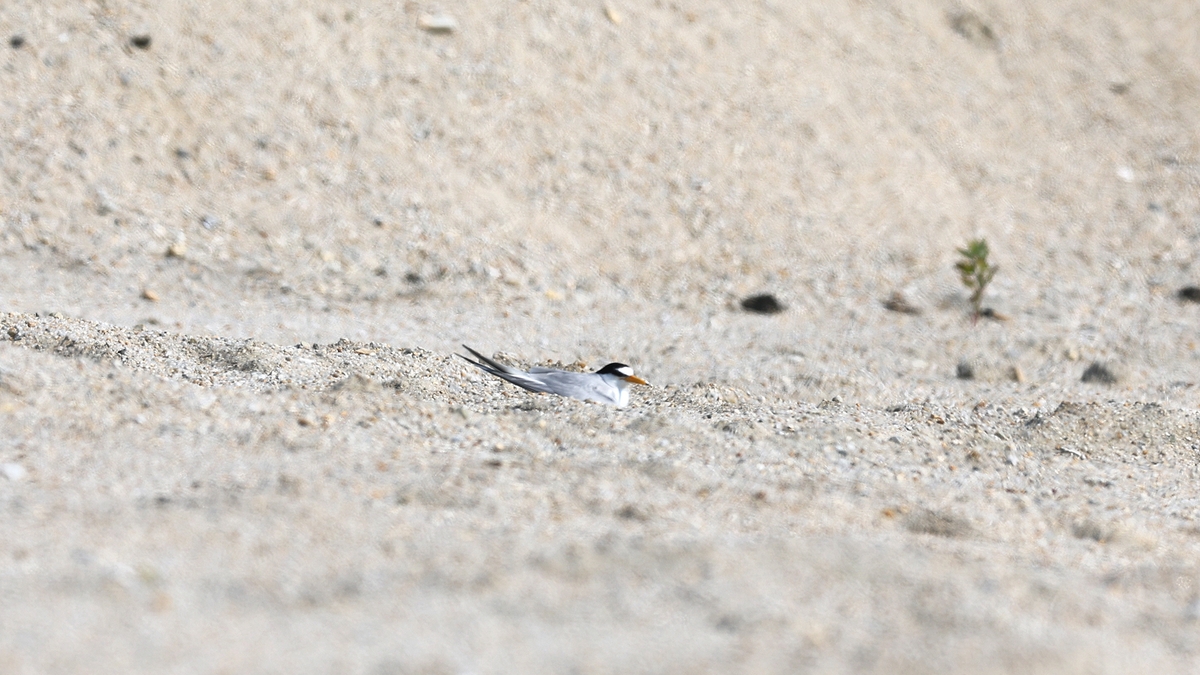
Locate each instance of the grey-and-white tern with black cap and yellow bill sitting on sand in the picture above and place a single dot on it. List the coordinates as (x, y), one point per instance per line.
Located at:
(610, 385)
